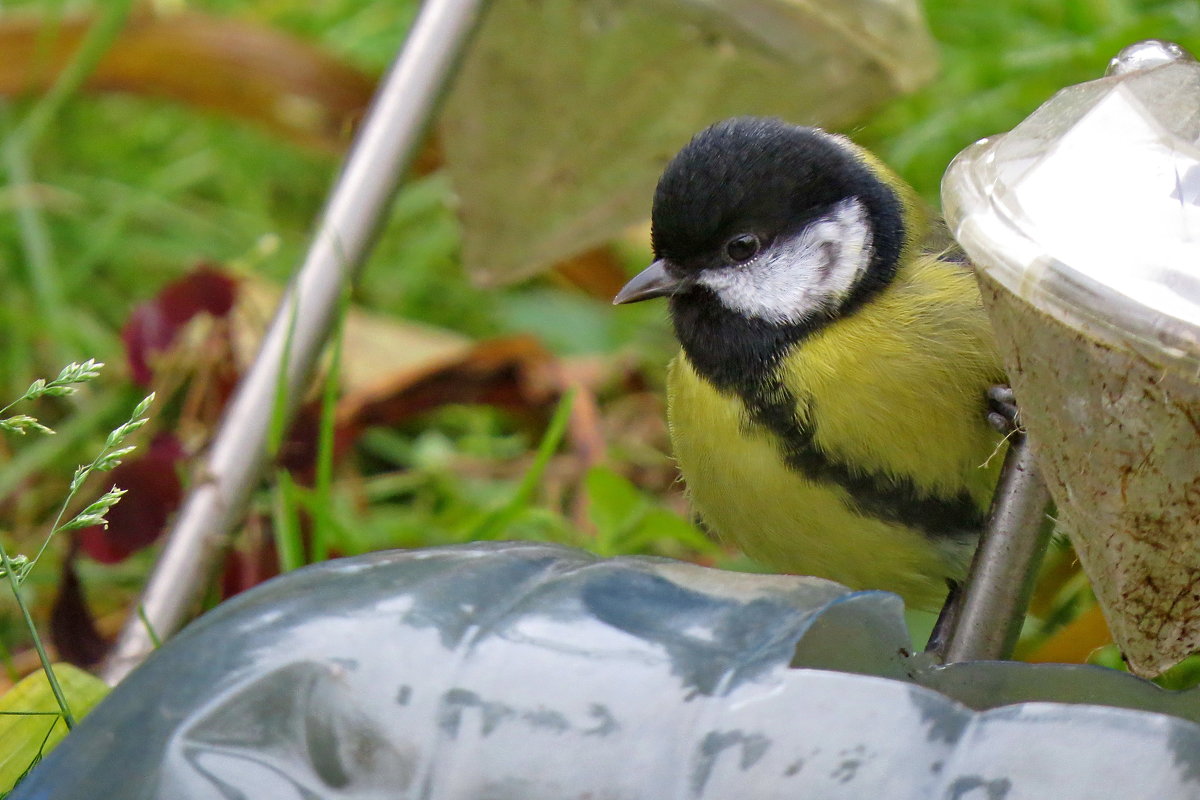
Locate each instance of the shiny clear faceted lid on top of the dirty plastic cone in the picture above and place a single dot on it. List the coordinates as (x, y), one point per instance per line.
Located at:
(1090, 209)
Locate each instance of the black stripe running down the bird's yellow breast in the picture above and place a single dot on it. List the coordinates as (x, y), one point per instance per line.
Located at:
(884, 497)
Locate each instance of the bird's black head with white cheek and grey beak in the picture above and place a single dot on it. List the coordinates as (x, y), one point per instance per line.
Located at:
(765, 231)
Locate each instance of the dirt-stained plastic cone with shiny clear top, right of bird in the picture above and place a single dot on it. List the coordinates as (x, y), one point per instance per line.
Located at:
(1084, 224)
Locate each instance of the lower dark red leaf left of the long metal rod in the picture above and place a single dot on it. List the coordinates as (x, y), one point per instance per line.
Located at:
(154, 492)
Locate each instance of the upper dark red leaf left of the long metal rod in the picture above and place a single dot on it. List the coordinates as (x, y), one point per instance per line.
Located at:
(154, 326)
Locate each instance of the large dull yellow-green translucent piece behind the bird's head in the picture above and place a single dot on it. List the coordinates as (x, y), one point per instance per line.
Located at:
(565, 113)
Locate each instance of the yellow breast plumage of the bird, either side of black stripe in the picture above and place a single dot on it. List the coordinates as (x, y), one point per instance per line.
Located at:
(897, 389)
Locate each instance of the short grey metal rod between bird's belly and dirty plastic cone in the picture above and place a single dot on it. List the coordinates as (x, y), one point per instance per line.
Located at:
(985, 619)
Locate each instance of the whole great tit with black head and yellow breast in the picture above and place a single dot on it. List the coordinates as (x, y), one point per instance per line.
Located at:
(829, 408)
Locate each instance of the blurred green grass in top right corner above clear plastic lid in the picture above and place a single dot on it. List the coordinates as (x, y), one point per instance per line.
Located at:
(1000, 62)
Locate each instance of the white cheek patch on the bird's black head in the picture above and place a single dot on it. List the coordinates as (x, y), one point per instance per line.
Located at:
(796, 278)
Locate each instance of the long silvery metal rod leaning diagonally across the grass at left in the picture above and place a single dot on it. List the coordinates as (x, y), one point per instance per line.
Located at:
(225, 480)
